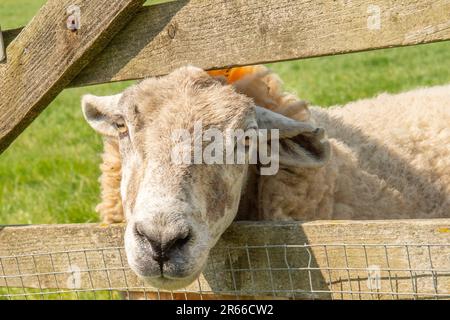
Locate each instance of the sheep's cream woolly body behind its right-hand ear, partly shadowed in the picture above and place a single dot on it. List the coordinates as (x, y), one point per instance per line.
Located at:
(391, 160)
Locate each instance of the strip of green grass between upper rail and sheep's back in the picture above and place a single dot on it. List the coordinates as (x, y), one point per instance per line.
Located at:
(335, 80)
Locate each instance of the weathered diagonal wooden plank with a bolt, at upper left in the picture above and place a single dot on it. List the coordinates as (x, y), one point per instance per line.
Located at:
(46, 56)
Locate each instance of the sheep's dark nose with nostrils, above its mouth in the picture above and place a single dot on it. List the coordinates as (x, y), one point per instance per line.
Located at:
(163, 244)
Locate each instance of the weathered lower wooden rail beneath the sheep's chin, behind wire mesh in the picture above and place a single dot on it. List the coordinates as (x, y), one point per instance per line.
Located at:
(293, 270)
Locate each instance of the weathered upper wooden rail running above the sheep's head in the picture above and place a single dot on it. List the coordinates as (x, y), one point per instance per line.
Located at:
(220, 33)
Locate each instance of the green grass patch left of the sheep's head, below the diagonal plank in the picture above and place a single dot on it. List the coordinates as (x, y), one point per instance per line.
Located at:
(50, 173)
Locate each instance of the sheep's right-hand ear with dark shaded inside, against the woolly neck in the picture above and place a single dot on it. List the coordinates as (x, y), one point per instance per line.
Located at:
(301, 144)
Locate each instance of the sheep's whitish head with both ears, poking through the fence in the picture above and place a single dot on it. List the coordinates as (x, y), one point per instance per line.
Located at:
(177, 210)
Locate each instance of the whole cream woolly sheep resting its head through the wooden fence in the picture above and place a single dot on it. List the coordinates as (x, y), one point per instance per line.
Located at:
(382, 158)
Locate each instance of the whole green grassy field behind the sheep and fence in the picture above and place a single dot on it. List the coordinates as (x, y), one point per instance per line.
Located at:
(49, 174)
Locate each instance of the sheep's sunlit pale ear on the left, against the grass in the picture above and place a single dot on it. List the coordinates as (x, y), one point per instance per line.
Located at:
(99, 111)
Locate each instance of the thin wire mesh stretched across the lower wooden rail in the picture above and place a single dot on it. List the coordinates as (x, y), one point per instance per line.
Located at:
(307, 271)
